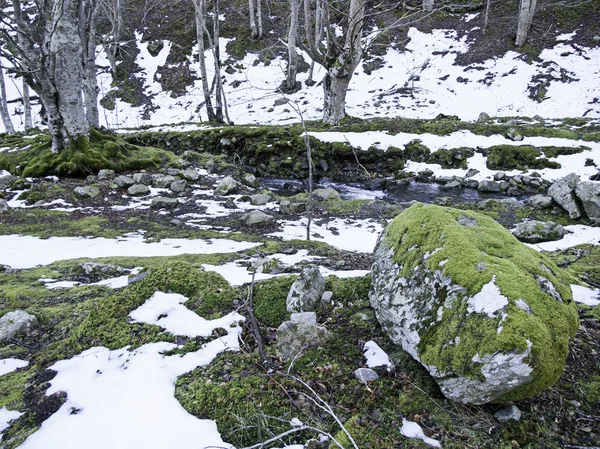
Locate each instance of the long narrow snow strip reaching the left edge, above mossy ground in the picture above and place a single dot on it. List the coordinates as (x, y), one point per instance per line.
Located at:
(27, 252)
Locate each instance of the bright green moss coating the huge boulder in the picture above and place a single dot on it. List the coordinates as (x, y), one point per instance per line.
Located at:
(473, 256)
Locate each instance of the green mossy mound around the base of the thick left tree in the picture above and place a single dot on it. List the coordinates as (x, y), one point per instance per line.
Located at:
(85, 156)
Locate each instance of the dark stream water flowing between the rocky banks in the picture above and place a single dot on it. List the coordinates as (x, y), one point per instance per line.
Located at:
(415, 191)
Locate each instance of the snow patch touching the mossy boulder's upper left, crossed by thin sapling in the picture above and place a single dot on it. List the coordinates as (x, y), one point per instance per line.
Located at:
(347, 234)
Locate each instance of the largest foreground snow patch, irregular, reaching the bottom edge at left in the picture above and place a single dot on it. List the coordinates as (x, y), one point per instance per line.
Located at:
(125, 398)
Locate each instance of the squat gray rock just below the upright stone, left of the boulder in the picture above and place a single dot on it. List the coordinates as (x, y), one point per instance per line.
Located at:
(295, 338)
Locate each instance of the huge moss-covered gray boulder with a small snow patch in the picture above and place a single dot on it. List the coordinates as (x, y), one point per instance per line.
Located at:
(472, 304)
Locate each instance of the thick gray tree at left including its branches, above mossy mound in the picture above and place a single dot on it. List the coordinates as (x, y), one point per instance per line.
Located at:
(44, 43)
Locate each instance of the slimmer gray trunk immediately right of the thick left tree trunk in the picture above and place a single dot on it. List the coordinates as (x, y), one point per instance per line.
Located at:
(89, 13)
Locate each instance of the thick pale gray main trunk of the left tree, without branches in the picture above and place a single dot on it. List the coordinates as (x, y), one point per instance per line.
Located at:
(66, 111)
